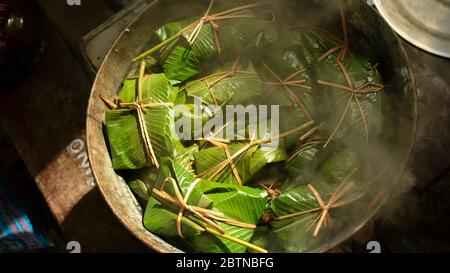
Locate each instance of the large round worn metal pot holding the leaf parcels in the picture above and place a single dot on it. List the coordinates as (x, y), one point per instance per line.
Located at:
(366, 27)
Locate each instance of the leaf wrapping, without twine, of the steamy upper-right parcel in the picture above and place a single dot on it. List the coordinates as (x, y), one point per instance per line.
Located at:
(357, 116)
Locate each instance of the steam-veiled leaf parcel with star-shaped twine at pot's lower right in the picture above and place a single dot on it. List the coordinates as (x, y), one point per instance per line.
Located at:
(304, 209)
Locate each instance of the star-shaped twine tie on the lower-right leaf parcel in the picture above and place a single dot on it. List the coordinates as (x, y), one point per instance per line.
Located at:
(324, 208)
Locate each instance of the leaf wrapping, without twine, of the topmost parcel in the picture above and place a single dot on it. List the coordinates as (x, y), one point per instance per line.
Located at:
(182, 61)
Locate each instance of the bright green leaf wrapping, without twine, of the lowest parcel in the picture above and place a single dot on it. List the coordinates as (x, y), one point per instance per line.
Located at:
(241, 204)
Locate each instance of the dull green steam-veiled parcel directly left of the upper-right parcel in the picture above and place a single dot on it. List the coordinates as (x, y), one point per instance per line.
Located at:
(282, 60)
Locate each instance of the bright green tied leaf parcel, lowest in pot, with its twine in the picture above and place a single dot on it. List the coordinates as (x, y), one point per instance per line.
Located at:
(233, 210)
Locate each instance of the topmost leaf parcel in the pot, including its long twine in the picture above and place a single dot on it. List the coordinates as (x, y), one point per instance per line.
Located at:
(186, 47)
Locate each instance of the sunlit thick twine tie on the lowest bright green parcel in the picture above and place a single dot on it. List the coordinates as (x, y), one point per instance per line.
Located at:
(206, 215)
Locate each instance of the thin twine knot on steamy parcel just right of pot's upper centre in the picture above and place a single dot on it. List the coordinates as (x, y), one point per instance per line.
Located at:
(287, 84)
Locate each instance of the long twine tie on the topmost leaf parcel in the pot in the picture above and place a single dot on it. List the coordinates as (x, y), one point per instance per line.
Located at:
(197, 26)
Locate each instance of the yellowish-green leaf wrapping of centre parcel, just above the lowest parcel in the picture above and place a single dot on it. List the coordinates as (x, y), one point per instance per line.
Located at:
(247, 165)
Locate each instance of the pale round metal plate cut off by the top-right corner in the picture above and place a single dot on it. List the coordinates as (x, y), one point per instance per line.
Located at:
(425, 24)
